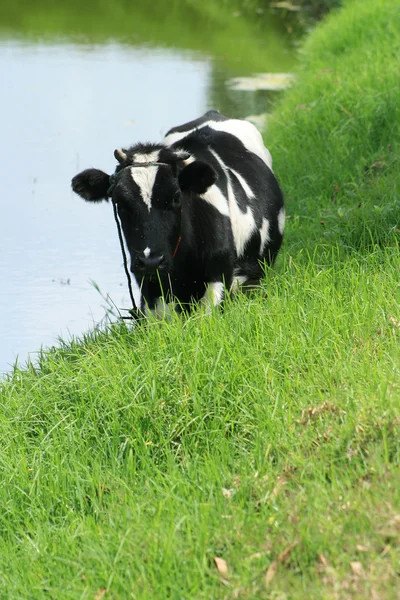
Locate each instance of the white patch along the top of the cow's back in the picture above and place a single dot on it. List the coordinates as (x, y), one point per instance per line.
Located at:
(243, 130)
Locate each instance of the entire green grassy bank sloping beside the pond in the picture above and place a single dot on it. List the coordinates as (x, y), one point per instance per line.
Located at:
(266, 436)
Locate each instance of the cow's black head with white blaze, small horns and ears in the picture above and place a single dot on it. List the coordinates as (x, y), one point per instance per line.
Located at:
(149, 187)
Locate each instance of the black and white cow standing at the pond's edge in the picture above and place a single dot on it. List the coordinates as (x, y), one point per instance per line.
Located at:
(200, 212)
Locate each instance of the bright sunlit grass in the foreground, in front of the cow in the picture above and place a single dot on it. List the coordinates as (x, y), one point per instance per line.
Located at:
(115, 455)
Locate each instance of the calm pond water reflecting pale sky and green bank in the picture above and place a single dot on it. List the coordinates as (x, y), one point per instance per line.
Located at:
(73, 89)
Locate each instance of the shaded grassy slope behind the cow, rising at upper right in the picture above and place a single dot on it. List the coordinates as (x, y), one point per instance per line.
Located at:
(336, 138)
